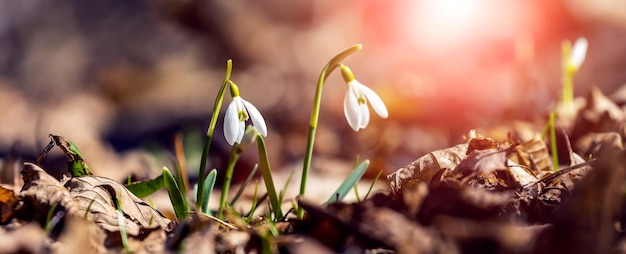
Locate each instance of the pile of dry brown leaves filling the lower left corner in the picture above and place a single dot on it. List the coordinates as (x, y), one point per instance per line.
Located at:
(53, 204)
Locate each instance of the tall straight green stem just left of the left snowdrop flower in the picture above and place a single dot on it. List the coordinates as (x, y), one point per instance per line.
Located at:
(209, 135)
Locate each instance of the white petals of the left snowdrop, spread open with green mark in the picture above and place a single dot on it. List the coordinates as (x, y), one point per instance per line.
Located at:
(237, 113)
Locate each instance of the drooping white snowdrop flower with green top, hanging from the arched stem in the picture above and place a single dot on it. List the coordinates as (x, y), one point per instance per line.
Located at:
(355, 102)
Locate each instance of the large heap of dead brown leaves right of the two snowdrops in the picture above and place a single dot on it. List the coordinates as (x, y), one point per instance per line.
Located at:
(484, 196)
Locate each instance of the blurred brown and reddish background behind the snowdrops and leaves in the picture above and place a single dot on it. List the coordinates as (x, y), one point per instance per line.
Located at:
(121, 78)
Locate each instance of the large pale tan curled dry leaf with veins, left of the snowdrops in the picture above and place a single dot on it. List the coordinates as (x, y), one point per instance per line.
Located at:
(94, 195)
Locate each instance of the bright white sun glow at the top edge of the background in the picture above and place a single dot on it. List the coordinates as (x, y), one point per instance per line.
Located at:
(437, 25)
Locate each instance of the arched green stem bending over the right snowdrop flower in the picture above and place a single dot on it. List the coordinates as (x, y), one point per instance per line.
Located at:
(330, 66)
